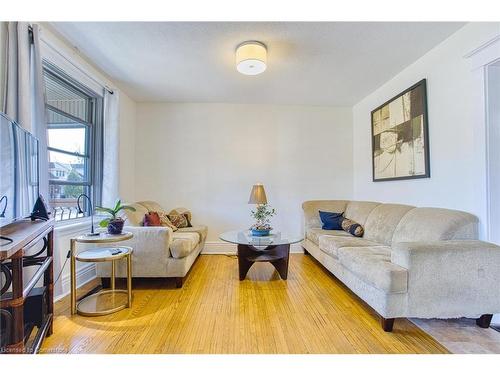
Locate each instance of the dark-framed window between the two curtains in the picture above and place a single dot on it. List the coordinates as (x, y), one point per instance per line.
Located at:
(74, 121)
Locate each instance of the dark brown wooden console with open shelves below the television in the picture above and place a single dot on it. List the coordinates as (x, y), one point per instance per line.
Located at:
(31, 247)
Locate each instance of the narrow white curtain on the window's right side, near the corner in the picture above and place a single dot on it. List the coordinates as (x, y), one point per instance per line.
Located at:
(110, 180)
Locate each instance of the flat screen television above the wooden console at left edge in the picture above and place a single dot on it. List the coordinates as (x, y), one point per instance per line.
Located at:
(19, 171)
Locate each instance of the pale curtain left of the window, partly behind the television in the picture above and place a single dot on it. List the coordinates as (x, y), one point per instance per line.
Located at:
(24, 99)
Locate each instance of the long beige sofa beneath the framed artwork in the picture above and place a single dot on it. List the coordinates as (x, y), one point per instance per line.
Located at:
(411, 262)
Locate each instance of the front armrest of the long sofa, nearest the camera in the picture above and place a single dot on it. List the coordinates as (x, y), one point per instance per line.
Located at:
(450, 275)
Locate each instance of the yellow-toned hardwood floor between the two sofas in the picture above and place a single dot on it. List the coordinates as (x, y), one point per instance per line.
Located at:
(214, 312)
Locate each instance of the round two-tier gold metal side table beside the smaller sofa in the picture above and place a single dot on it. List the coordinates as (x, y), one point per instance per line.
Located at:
(107, 301)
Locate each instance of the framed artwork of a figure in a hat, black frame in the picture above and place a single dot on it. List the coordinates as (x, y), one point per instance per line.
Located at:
(400, 136)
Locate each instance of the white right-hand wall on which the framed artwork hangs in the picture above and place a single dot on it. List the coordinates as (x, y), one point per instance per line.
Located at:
(455, 130)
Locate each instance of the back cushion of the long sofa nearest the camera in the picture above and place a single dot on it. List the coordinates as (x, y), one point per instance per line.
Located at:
(383, 220)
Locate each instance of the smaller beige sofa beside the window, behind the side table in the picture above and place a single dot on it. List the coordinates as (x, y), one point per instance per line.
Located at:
(158, 251)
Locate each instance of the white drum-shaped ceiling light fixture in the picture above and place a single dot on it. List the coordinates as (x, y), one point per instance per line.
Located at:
(251, 58)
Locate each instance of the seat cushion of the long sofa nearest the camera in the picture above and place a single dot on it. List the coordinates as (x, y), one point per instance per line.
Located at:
(373, 266)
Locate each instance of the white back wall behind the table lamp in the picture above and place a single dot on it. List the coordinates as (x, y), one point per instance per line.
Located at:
(207, 157)
